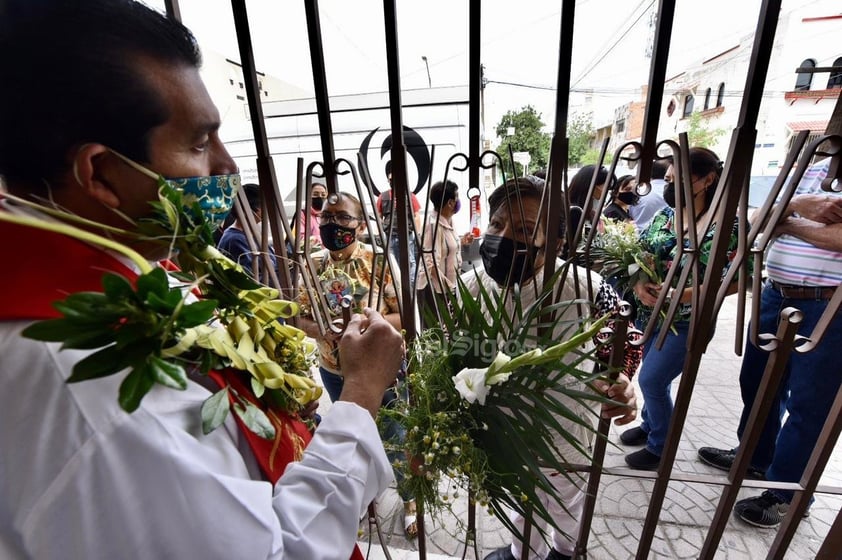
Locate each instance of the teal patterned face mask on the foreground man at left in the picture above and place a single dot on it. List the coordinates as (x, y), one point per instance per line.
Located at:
(214, 194)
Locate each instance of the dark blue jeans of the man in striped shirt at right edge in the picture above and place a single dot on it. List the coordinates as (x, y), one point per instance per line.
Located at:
(808, 387)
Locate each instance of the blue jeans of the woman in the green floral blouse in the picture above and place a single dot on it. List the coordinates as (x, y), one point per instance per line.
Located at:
(657, 372)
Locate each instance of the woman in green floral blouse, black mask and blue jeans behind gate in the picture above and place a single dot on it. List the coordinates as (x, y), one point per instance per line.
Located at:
(661, 366)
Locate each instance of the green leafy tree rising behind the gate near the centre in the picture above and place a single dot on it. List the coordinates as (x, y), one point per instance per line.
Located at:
(528, 137)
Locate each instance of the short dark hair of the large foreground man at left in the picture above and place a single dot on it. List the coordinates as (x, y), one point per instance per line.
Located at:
(70, 76)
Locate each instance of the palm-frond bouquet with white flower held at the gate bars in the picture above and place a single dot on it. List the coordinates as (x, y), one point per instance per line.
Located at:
(492, 393)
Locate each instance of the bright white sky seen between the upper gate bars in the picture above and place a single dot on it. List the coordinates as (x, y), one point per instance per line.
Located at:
(519, 45)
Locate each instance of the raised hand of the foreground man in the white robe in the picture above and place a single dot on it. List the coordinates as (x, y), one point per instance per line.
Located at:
(371, 352)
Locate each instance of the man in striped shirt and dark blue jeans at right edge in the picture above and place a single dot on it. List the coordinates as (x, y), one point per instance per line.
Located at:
(804, 264)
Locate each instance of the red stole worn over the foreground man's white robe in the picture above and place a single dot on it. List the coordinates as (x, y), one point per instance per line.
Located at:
(46, 266)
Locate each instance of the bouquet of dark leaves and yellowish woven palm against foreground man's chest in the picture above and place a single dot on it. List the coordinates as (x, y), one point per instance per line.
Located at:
(155, 327)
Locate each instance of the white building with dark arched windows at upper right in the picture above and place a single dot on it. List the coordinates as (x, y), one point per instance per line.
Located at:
(806, 37)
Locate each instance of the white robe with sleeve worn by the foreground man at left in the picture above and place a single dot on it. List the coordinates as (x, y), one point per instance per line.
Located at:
(80, 478)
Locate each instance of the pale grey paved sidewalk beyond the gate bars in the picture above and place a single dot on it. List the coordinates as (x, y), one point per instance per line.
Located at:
(623, 498)
